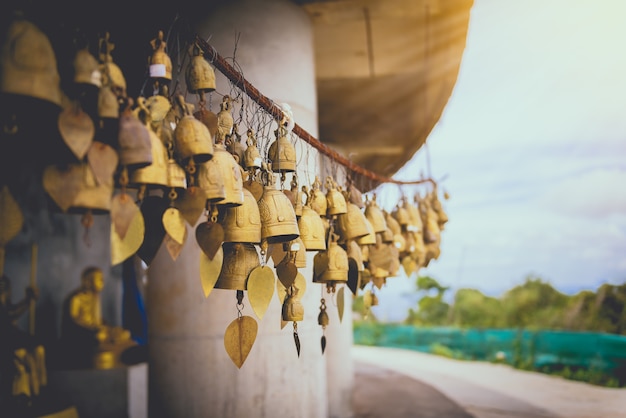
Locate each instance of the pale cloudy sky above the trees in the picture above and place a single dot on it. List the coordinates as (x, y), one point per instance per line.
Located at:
(531, 148)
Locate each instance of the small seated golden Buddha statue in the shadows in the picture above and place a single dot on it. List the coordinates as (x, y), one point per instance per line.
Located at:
(86, 341)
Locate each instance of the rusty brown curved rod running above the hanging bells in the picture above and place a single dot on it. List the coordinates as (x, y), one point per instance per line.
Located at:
(277, 113)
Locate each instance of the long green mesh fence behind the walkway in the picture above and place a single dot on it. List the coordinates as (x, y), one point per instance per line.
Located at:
(539, 349)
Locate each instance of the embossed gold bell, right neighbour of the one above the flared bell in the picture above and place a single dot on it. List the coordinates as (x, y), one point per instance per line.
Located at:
(278, 219)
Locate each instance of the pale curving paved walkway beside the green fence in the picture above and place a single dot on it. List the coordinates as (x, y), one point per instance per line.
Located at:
(395, 383)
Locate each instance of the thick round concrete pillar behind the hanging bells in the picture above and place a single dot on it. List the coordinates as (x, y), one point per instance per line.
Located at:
(190, 373)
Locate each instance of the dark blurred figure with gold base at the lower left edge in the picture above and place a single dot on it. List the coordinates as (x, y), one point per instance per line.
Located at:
(22, 357)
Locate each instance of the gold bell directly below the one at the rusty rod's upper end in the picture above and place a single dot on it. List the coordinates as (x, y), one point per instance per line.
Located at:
(192, 137)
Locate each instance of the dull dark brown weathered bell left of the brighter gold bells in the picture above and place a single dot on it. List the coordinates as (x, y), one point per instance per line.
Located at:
(135, 141)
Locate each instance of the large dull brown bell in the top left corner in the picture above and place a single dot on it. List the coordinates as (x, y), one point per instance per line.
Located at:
(28, 65)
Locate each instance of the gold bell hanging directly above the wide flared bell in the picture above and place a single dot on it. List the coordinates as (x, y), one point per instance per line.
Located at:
(243, 223)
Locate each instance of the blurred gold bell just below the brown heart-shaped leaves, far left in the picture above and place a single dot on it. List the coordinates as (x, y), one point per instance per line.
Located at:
(93, 195)
